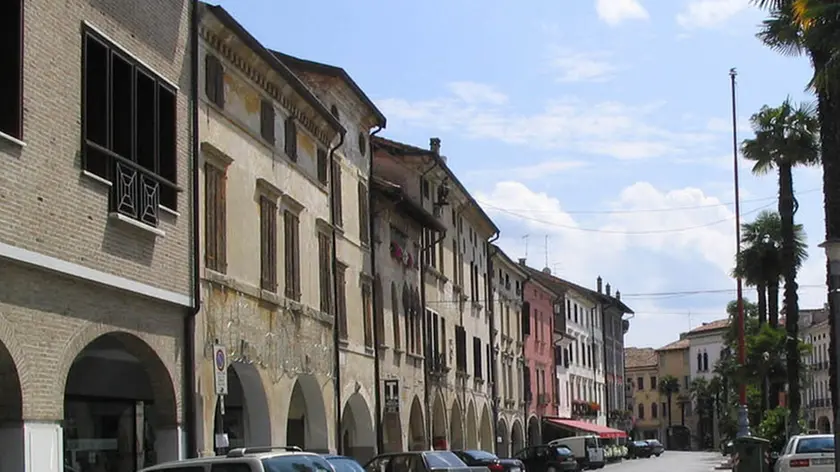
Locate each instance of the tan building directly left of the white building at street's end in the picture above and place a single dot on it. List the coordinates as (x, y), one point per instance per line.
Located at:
(674, 363)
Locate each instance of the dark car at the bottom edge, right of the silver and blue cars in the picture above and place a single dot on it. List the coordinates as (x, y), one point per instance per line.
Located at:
(420, 461)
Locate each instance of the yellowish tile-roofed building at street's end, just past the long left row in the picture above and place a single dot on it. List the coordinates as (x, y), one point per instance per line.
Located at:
(642, 369)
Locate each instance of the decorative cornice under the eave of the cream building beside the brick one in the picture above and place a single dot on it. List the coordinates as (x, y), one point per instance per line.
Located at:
(272, 88)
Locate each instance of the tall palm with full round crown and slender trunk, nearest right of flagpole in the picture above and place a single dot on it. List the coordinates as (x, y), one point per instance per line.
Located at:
(786, 136)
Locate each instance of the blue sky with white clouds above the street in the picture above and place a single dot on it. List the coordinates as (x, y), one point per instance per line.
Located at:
(596, 133)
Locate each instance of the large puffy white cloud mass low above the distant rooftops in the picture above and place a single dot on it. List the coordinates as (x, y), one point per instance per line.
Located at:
(580, 250)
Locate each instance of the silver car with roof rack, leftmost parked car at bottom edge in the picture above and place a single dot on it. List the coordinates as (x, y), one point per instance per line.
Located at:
(253, 459)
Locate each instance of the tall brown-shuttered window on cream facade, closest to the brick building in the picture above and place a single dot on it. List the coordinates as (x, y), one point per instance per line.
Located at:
(215, 227)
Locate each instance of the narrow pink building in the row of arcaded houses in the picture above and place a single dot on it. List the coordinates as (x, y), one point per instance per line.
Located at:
(537, 318)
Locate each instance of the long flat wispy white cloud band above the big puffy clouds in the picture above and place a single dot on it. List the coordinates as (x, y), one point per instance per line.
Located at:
(603, 128)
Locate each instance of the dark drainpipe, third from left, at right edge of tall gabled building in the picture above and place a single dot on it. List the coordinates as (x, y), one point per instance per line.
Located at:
(377, 392)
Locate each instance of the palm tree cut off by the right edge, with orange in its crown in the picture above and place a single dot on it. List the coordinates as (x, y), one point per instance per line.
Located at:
(812, 27)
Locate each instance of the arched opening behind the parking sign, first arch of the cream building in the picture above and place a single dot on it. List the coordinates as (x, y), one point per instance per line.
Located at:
(245, 419)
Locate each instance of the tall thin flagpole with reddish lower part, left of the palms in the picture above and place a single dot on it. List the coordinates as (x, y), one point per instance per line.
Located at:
(743, 418)
